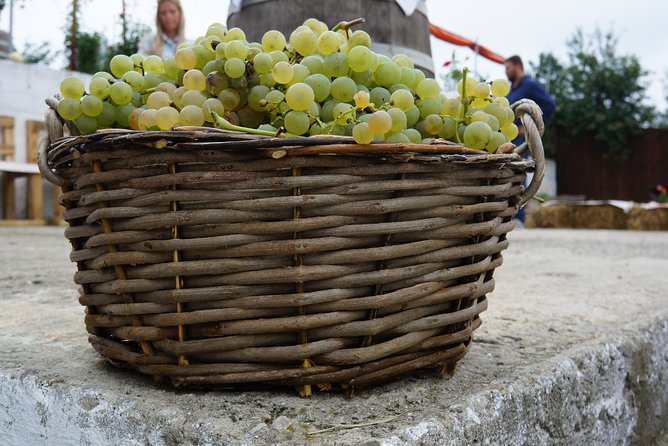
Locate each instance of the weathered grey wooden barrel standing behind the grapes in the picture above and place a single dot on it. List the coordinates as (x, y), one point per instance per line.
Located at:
(390, 29)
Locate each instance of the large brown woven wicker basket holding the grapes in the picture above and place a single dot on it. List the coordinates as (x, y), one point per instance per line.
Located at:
(210, 258)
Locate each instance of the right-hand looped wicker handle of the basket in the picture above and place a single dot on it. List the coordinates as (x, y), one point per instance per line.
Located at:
(532, 119)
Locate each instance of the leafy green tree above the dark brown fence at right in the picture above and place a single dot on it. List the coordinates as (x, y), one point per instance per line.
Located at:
(598, 92)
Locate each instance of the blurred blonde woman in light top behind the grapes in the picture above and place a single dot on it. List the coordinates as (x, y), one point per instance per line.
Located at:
(170, 24)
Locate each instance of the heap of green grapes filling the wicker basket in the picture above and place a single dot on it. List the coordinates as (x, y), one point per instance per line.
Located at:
(315, 81)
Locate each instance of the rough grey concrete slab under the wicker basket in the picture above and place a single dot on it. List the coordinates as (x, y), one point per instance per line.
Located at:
(573, 349)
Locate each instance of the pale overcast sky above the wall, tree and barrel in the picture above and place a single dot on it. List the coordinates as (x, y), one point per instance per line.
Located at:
(524, 27)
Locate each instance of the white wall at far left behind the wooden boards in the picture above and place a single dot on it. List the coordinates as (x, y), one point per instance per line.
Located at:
(23, 89)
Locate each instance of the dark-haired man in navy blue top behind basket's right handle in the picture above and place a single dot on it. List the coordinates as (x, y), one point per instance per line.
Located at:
(524, 87)
